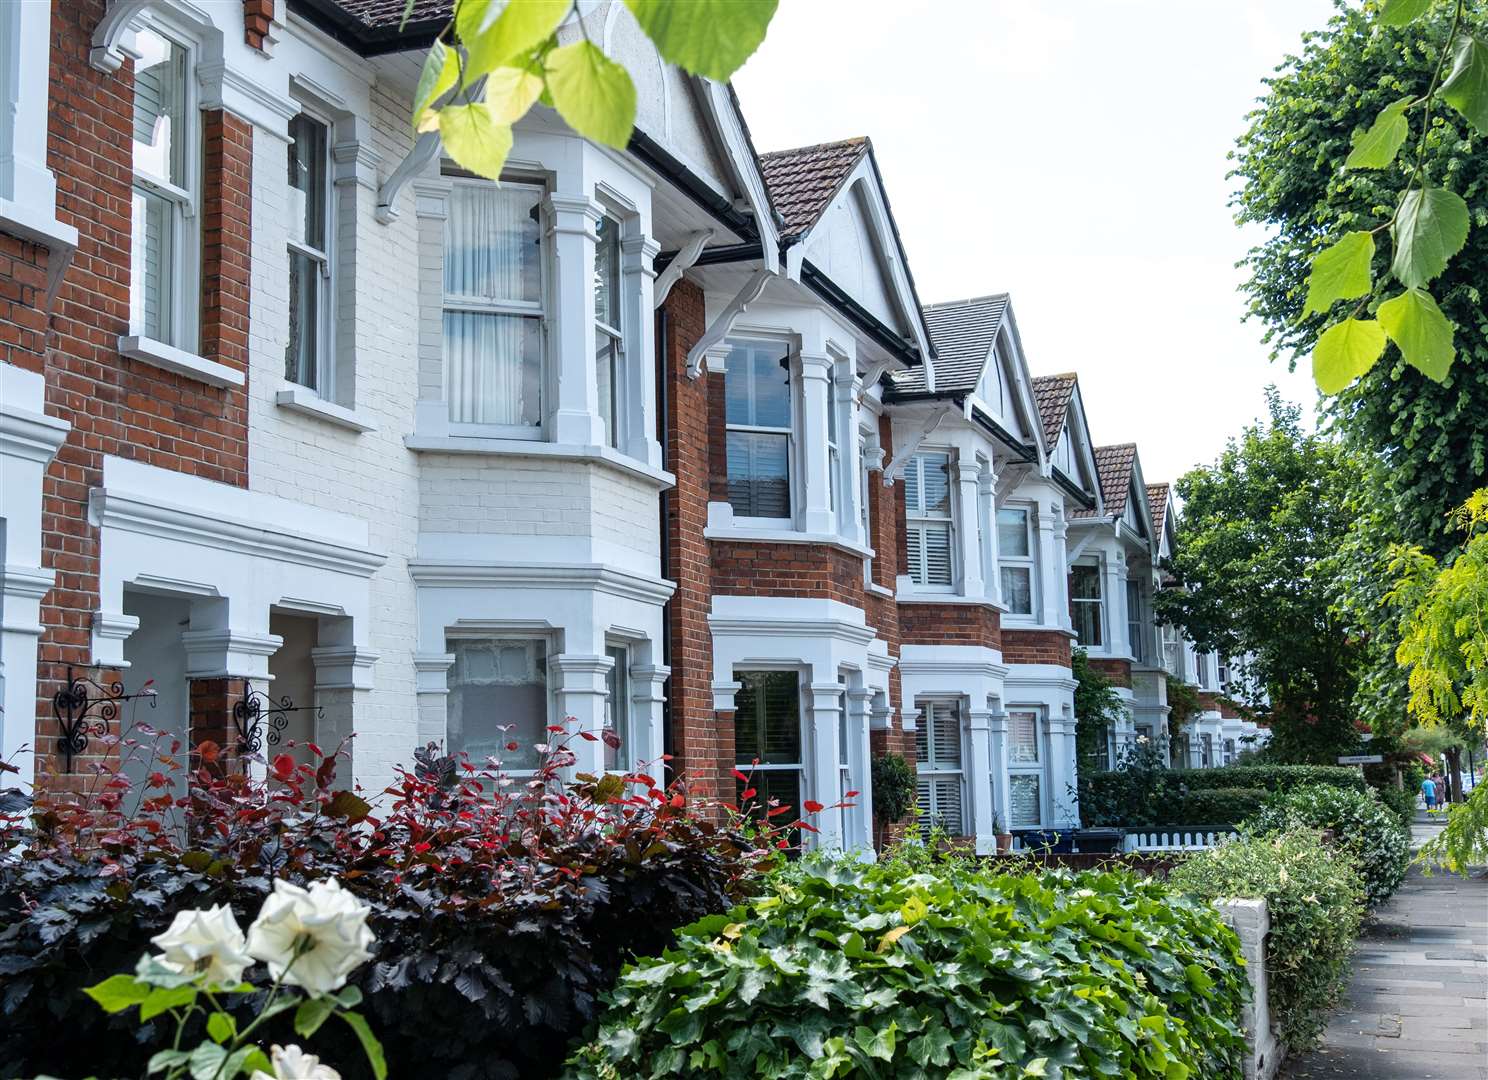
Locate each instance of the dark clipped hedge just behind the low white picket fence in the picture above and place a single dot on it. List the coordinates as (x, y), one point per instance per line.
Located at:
(1147, 794)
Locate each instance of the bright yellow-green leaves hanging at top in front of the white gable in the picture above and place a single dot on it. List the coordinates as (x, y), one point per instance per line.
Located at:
(498, 59)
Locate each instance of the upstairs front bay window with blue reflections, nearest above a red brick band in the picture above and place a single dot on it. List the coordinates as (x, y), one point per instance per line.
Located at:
(758, 414)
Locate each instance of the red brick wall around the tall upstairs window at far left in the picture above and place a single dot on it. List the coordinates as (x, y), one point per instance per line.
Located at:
(121, 407)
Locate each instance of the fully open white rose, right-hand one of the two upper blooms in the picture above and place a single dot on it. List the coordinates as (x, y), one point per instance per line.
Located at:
(312, 938)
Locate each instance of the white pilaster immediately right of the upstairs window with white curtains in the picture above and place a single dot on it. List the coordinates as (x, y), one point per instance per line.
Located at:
(574, 411)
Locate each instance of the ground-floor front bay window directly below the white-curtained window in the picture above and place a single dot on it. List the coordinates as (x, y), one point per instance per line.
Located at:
(498, 698)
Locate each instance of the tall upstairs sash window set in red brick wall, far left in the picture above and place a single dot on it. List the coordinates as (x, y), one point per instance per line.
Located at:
(163, 227)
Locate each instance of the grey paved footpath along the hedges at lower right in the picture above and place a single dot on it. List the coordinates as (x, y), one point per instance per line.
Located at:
(1417, 1005)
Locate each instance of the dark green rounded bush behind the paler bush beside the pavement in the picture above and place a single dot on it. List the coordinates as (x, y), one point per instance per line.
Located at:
(1362, 825)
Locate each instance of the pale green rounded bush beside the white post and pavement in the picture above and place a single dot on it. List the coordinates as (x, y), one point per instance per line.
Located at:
(1318, 904)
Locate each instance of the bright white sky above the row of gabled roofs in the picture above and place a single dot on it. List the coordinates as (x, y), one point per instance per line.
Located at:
(1074, 154)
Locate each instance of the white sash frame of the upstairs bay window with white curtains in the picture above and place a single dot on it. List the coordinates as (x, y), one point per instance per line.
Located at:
(541, 310)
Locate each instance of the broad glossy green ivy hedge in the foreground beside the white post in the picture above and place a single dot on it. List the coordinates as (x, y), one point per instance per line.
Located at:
(958, 971)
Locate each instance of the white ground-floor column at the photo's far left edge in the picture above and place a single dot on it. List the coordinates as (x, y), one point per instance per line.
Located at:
(29, 440)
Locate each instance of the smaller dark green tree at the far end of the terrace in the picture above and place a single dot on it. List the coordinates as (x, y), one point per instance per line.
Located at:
(1257, 572)
